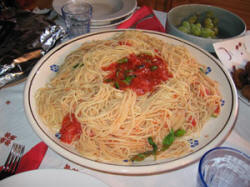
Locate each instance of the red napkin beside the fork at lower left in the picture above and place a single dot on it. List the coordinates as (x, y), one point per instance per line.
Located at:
(33, 158)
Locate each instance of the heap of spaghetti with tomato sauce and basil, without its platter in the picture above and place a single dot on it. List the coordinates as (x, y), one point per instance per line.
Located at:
(94, 101)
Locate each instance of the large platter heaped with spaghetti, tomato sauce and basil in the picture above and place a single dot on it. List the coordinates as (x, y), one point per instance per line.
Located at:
(130, 101)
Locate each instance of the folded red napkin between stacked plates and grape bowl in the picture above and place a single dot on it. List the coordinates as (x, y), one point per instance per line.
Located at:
(150, 23)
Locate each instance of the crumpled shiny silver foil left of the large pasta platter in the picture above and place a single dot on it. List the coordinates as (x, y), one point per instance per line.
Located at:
(15, 69)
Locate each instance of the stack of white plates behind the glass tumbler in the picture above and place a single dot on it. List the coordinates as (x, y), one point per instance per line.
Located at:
(107, 14)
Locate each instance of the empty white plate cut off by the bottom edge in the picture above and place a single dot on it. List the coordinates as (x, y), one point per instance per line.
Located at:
(52, 178)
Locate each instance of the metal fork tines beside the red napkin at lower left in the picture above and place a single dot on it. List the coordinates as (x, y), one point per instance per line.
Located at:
(12, 162)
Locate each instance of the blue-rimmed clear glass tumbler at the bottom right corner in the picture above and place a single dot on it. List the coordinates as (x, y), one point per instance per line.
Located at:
(224, 167)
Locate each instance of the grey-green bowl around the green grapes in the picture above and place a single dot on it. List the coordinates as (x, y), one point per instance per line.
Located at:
(230, 25)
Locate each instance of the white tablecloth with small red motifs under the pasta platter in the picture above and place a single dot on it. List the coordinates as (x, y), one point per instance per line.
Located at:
(14, 127)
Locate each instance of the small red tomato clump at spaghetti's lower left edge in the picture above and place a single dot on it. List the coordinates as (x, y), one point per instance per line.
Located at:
(71, 129)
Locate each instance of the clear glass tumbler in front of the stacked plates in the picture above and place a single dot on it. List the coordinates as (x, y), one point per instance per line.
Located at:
(77, 16)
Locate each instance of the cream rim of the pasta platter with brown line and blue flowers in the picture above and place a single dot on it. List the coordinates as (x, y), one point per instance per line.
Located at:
(209, 137)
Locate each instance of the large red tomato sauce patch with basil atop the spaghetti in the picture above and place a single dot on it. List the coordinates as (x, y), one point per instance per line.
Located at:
(141, 73)
